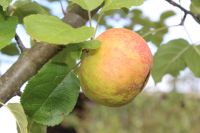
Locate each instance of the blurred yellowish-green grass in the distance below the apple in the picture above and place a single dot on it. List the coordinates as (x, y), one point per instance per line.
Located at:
(148, 113)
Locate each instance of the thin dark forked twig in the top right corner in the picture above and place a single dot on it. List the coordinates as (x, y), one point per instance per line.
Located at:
(185, 11)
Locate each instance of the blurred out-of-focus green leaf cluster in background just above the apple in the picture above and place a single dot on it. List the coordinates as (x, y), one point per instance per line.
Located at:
(152, 31)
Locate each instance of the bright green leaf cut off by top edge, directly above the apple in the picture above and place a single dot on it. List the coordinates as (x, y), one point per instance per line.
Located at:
(117, 4)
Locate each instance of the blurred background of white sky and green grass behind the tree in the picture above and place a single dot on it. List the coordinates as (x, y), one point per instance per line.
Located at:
(170, 106)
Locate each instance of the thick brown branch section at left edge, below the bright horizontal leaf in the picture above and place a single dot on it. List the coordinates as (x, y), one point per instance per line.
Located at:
(25, 67)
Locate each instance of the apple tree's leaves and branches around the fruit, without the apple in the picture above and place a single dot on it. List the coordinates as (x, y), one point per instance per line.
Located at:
(50, 65)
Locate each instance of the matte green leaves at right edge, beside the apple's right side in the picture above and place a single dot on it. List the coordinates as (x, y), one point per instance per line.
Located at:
(175, 56)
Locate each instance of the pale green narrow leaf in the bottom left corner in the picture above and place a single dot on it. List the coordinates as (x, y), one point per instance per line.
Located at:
(17, 110)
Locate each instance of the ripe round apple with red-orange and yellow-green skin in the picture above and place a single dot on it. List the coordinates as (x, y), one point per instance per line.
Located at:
(115, 73)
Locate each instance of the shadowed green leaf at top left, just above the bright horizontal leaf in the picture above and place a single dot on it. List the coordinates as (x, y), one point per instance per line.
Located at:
(23, 8)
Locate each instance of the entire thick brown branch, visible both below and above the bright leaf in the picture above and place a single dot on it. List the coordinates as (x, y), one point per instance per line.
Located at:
(33, 59)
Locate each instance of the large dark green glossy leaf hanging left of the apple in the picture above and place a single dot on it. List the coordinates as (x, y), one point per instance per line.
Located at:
(51, 94)
